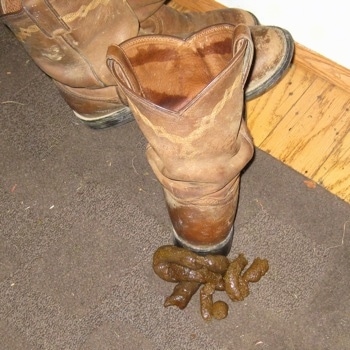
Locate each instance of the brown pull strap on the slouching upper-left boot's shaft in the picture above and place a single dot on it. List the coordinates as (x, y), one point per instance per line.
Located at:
(45, 17)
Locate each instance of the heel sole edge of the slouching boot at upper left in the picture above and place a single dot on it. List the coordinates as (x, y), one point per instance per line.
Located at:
(120, 117)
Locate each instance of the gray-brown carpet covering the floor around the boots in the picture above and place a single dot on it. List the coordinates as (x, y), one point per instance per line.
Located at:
(82, 213)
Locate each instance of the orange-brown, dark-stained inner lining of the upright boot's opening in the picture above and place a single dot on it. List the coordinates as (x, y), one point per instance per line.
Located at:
(172, 73)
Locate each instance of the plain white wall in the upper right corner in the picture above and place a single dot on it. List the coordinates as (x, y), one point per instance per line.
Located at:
(322, 26)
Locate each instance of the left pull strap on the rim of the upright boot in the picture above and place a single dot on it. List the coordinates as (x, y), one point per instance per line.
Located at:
(121, 68)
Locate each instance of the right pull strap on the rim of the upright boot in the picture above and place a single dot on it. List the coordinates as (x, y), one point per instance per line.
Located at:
(244, 38)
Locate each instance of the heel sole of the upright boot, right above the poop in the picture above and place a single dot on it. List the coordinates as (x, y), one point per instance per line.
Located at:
(222, 248)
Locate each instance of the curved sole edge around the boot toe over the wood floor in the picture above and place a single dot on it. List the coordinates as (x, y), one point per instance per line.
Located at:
(280, 72)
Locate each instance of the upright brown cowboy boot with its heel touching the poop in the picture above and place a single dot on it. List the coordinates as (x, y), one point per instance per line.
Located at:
(187, 96)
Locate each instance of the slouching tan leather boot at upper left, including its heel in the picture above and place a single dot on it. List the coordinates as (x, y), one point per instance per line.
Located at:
(68, 40)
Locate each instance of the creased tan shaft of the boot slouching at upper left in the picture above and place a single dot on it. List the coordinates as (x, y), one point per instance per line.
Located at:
(68, 39)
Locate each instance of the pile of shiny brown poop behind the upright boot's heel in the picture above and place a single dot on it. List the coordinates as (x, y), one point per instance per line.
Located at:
(208, 273)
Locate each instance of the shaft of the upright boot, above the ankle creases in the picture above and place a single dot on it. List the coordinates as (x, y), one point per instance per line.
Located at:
(187, 96)
